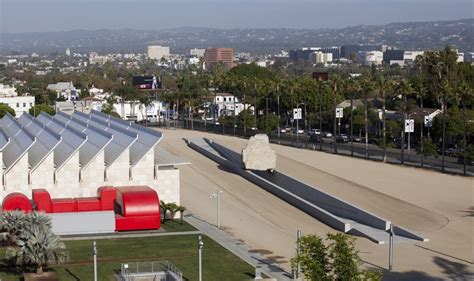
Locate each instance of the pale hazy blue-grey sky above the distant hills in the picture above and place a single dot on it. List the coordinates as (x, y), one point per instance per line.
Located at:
(57, 15)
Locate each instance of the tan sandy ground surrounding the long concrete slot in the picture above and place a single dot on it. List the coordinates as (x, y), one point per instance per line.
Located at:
(438, 205)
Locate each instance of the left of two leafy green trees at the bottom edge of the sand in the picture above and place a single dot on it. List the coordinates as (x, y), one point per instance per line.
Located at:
(313, 258)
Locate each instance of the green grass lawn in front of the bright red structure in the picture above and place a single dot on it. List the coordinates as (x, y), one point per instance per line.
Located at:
(218, 263)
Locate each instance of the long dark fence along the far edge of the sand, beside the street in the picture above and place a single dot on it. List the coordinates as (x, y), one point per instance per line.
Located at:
(355, 149)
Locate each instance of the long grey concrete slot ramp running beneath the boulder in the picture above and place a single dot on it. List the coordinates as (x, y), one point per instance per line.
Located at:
(333, 211)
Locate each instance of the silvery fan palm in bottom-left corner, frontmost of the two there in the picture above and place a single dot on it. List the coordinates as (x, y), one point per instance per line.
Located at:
(37, 246)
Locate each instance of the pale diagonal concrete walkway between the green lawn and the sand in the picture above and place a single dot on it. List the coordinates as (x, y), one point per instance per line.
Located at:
(239, 249)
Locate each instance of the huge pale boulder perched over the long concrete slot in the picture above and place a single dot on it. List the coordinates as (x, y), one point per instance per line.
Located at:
(258, 155)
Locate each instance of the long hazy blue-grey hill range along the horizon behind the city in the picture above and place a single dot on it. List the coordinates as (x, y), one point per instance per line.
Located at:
(410, 35)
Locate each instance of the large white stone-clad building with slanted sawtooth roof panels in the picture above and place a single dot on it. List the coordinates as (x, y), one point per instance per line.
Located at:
(73, 155)
